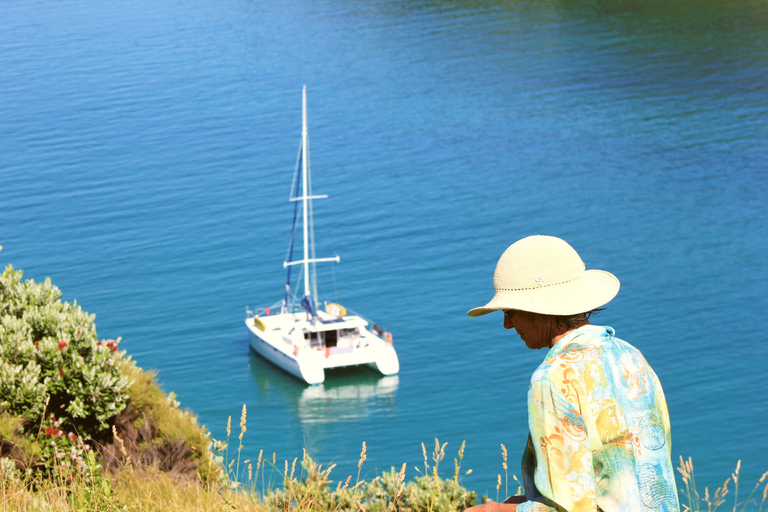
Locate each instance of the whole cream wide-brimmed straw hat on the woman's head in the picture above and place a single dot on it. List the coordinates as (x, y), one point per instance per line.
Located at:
(543, 274)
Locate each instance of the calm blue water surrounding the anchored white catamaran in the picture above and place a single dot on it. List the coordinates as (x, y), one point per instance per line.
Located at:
(146, 154)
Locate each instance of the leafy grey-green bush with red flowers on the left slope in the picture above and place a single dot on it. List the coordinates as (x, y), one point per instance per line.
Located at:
(54, 372)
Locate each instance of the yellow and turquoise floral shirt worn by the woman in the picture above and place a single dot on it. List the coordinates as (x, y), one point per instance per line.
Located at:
(599, 430)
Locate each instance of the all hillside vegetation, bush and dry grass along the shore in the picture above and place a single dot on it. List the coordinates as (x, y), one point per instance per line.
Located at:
(82, 428)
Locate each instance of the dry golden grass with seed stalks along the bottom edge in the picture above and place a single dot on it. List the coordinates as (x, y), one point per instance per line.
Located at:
(264, 485)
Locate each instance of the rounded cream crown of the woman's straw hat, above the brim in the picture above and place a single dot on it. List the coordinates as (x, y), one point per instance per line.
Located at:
(535, 262)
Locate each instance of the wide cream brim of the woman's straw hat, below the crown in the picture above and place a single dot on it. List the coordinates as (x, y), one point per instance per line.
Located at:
(594, 289)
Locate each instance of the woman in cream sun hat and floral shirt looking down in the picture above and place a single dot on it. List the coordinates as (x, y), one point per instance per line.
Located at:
(599, 433)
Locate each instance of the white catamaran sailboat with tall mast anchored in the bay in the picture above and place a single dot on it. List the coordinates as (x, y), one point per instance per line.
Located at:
(301, 335)
